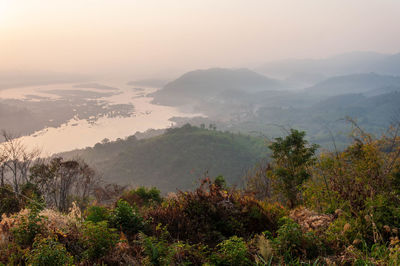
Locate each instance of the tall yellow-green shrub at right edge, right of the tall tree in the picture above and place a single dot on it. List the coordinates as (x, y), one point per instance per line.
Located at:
(364, 170)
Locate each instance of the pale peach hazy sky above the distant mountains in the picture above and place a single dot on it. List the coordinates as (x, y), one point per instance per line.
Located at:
(158, 37)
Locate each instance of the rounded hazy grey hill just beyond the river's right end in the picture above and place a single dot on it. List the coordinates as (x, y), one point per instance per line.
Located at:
(202, 85)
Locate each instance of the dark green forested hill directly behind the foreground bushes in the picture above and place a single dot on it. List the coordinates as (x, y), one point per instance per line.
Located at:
(177, 159)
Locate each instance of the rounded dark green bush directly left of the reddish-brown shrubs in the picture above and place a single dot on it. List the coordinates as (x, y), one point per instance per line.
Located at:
(126, 218)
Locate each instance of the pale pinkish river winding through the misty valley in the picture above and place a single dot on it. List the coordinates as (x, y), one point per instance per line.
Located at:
(130, 110)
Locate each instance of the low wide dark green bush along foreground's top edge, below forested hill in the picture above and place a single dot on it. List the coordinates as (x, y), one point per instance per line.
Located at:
(142, 196)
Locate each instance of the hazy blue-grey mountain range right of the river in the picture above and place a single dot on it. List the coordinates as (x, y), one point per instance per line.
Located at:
(245, 101)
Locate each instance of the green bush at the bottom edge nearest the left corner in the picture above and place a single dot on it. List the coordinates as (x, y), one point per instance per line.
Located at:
(47, 251)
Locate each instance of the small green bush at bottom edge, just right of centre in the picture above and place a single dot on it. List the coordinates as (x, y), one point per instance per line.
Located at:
(232, 251)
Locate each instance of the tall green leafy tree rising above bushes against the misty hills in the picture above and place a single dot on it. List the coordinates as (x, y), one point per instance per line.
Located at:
(293, 157)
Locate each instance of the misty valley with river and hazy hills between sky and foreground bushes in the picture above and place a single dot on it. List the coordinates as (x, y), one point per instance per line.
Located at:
(59, 118)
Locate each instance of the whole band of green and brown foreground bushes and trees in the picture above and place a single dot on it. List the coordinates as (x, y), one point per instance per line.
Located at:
(335, 208)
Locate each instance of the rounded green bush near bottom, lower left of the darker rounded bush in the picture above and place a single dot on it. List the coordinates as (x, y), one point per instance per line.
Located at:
(98, 239)
